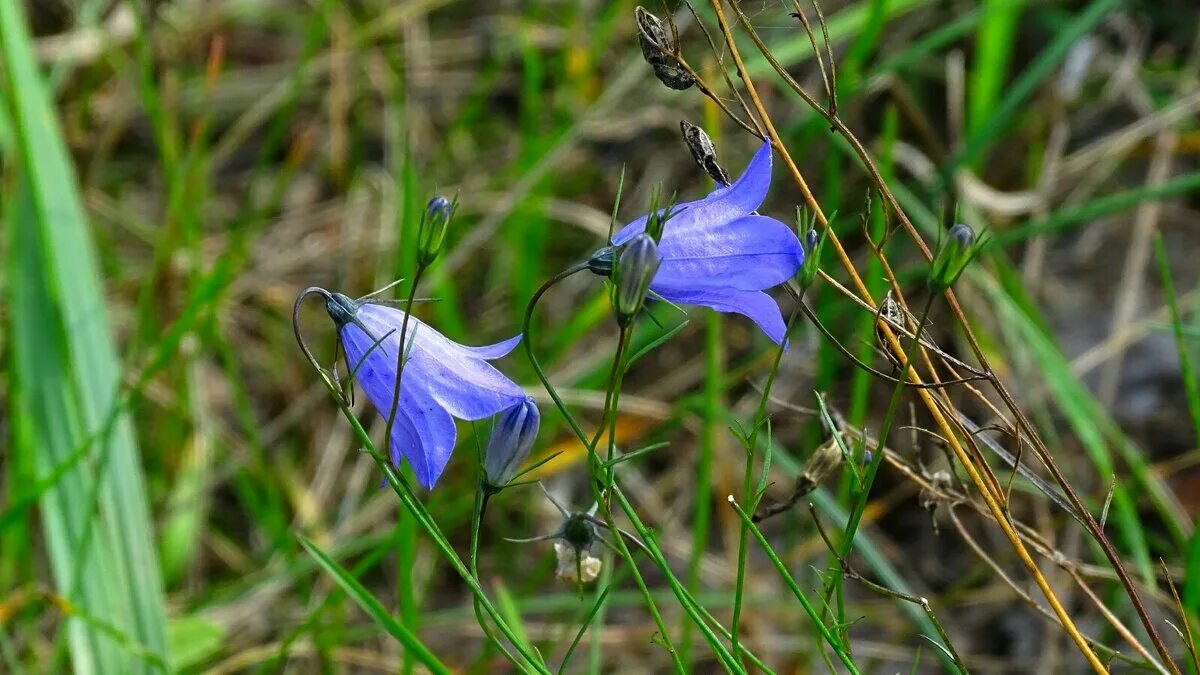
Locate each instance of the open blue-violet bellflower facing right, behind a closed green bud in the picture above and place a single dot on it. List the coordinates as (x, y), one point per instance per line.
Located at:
(719, 254)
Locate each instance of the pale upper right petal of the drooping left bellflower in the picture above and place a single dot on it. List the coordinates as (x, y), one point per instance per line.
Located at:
(457, 377)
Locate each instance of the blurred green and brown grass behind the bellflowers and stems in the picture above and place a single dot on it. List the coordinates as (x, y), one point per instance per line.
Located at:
(175, 172)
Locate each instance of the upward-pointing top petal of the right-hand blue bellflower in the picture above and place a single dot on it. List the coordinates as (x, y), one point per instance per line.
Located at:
(740, 199)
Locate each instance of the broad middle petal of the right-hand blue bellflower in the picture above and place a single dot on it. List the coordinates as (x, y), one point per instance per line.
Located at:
(749, 254)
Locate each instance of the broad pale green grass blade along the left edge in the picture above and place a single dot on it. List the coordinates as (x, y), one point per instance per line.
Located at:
(65, 385)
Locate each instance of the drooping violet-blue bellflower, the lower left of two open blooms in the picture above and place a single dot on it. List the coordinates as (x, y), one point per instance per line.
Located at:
(442, 381)
